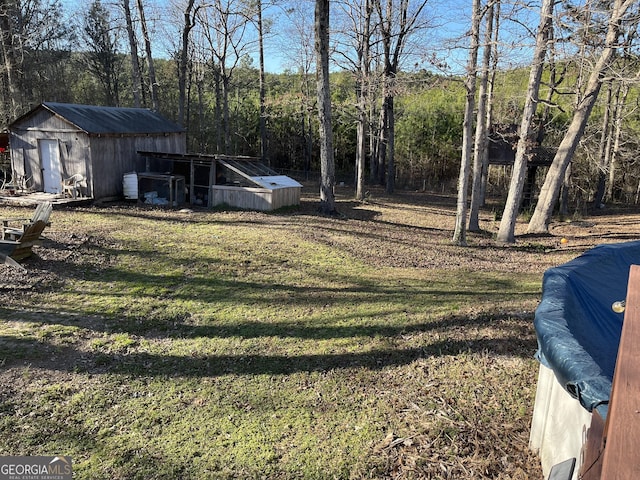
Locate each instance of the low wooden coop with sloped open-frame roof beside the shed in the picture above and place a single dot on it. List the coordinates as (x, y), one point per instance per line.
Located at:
(213, 180)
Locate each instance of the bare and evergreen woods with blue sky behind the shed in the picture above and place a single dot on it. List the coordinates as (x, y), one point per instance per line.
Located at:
(397, 89)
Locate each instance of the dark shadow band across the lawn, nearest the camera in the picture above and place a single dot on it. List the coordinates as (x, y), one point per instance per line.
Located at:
(145, 364)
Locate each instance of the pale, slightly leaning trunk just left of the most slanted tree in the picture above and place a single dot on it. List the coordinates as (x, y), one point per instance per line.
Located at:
(506, 232)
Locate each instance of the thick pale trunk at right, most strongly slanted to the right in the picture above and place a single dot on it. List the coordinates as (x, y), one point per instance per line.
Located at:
(539, 222)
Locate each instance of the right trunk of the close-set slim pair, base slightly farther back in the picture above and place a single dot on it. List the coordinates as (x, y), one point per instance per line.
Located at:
(480, 145)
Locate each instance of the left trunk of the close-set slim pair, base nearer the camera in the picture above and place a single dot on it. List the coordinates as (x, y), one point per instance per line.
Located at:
(460, 233)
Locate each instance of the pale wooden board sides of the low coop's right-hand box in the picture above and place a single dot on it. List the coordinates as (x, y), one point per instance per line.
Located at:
(261, 199)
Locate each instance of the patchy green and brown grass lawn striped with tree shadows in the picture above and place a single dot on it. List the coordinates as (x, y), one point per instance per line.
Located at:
(158, 344)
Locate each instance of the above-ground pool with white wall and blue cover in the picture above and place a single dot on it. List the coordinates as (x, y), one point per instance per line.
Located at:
(578, 336)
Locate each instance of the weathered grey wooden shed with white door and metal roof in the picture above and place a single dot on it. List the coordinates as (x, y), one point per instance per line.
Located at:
(54, 141)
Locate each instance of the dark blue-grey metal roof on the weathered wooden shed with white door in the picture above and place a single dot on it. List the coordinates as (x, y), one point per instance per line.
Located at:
(109, 120)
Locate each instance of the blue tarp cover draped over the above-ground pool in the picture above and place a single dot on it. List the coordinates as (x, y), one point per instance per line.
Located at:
(578, 332)
